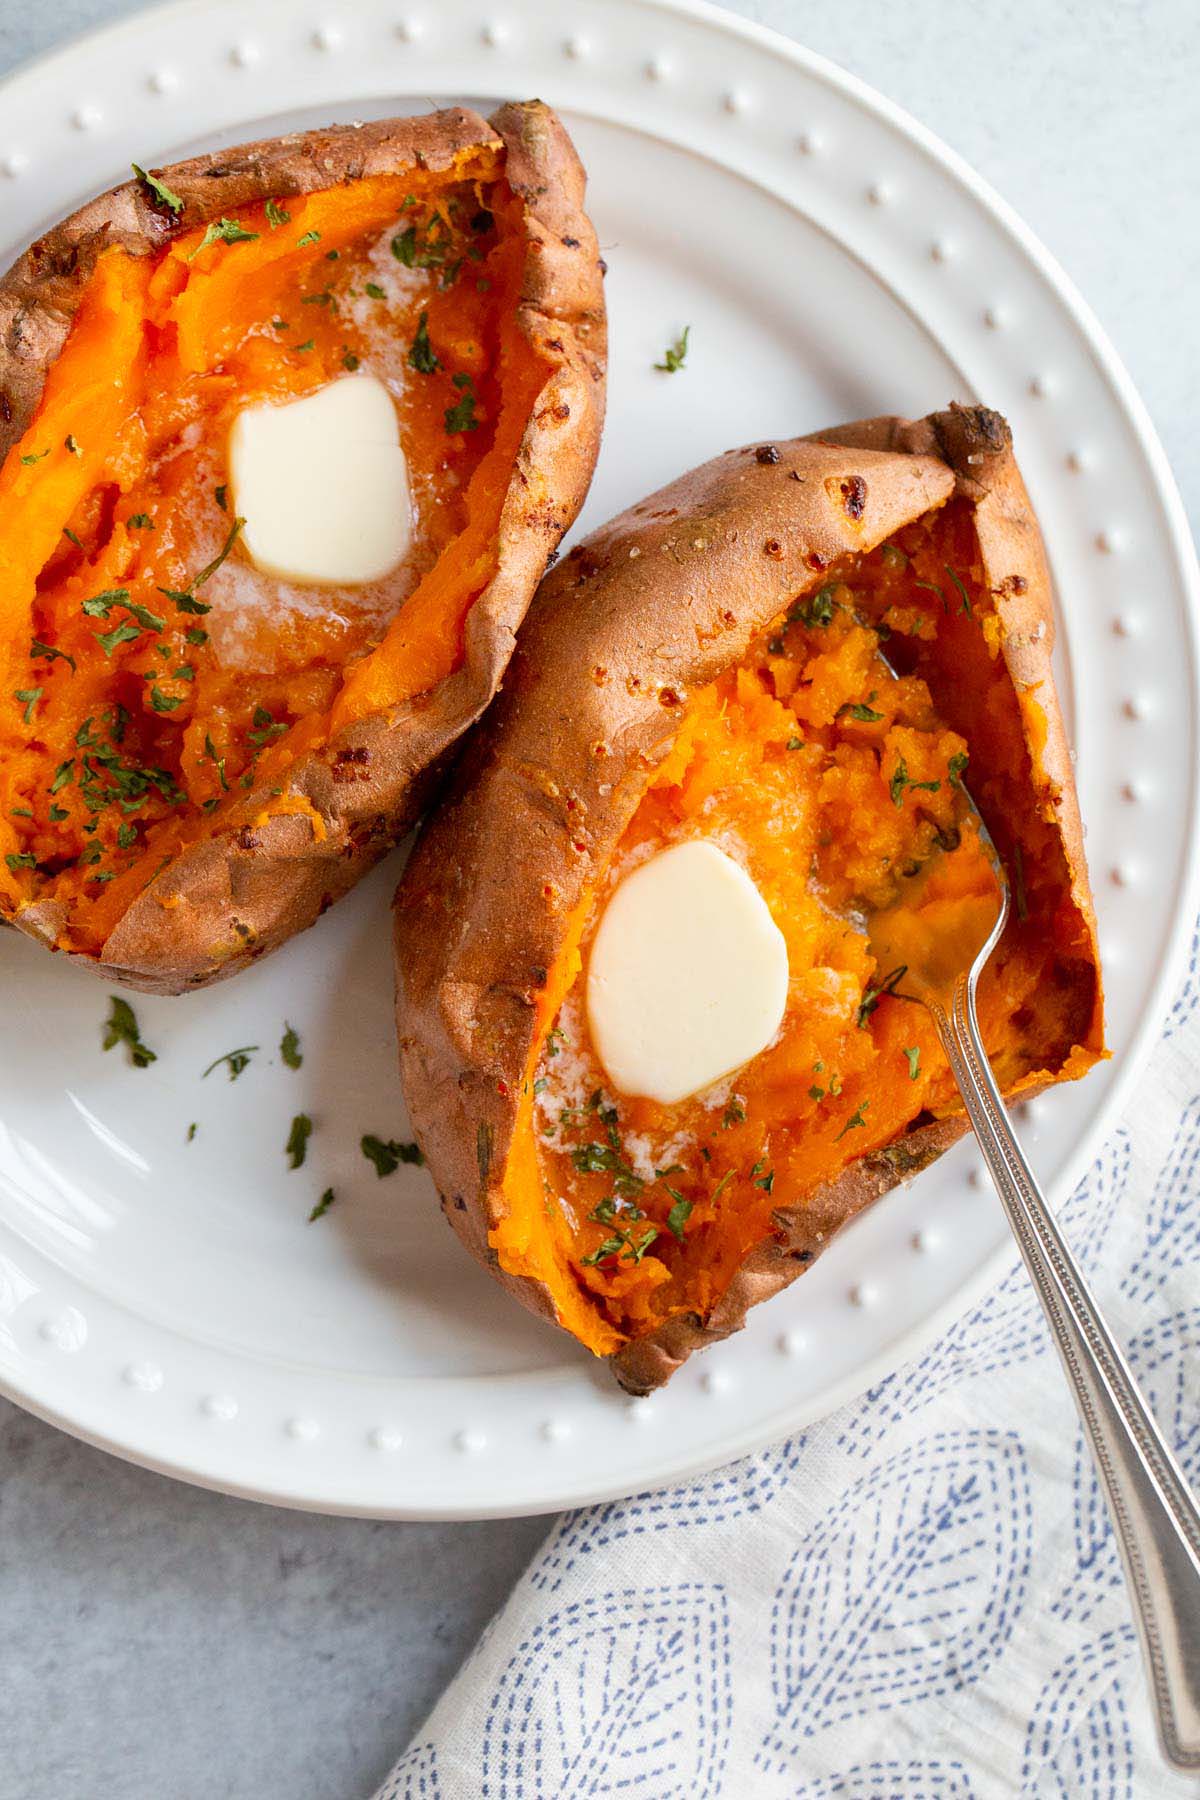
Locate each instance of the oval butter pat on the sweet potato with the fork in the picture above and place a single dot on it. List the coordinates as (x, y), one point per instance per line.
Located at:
(688, 976)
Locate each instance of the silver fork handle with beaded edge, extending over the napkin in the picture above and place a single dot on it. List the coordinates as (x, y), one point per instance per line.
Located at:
(1152, 1509)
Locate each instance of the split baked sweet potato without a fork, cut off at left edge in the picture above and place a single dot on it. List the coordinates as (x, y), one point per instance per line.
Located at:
(197, 757)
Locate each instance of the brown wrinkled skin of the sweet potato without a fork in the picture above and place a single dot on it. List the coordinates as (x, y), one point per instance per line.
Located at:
(228, 901)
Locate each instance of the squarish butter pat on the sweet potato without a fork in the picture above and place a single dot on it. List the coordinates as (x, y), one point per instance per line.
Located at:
(323, 485)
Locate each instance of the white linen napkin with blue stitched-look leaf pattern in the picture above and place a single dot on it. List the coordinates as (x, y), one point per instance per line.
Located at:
(918, 1599)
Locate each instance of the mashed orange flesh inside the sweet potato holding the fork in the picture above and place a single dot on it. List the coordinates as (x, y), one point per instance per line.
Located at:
(832, 773)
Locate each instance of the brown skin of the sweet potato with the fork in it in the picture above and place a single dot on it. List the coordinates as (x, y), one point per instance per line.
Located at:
(550, 784)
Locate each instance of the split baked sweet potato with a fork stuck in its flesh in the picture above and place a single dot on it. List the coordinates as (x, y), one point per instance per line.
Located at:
(710, 665)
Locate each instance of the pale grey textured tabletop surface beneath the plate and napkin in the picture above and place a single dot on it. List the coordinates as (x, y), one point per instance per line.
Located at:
(165, 1644)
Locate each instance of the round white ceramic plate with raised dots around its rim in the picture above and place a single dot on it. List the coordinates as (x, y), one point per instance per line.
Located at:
(170, 1300)
